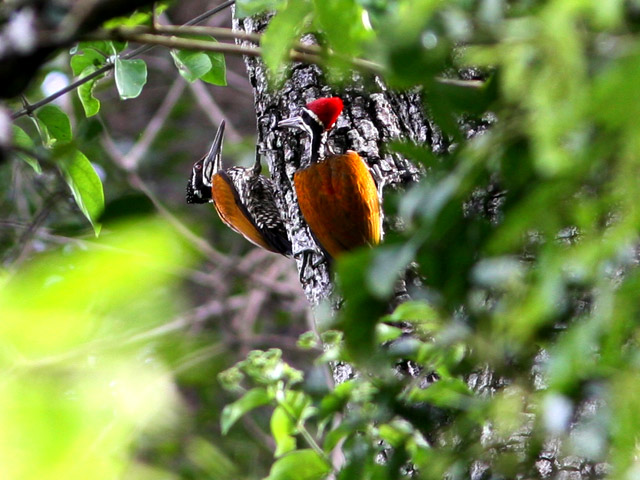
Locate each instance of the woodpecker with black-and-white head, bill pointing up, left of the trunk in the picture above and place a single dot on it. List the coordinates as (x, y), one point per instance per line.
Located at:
(243, 198)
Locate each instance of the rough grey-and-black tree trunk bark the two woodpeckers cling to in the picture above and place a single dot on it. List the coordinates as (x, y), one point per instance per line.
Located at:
(372, 116)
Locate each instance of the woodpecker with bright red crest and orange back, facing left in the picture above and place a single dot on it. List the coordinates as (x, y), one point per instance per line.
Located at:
(337, 194)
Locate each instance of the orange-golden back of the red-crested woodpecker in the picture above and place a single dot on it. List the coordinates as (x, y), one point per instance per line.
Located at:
(339, 201)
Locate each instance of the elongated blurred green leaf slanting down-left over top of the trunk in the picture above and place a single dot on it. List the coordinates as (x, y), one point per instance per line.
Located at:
(283, 30)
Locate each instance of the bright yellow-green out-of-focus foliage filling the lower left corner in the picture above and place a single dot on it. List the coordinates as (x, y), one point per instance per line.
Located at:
(81, 383)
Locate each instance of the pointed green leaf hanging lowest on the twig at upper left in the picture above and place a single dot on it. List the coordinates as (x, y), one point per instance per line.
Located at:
(84, 183)
